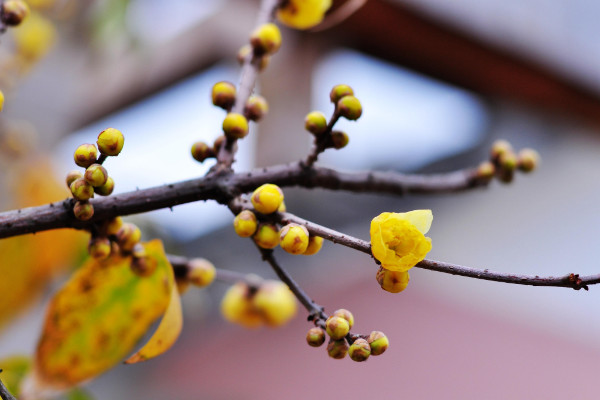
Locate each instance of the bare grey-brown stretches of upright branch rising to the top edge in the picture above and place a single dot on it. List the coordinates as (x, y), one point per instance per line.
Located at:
(250, 70)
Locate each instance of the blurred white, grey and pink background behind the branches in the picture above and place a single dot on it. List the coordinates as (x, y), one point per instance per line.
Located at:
(439, 82)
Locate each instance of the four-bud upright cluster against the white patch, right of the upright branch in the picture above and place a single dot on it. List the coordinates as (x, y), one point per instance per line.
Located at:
(346, 106)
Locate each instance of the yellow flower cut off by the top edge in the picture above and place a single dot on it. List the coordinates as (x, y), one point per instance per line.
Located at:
(303, 14)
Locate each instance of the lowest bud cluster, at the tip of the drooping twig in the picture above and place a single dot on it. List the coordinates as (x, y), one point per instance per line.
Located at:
(341, 342)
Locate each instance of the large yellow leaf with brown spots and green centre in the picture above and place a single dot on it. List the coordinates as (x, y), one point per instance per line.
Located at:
(97, 318)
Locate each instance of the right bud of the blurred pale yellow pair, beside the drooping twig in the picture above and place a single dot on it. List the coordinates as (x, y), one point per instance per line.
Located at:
(275, 302)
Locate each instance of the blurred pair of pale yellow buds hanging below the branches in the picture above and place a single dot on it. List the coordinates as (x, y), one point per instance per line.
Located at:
(268, 302)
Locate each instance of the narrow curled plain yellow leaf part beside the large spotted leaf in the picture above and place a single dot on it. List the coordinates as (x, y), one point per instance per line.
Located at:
(166, 334)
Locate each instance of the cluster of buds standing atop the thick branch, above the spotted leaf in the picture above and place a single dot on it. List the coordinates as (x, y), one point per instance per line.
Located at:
(95, 178)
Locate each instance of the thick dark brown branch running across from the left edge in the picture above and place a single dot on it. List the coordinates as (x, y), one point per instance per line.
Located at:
(226, 186)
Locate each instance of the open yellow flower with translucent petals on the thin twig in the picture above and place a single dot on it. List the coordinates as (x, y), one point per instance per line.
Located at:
(398, 239)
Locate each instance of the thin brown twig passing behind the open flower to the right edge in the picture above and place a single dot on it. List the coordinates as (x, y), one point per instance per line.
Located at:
(573, 281)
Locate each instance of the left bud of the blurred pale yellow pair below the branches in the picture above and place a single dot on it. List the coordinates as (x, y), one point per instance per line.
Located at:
(236, 306)
